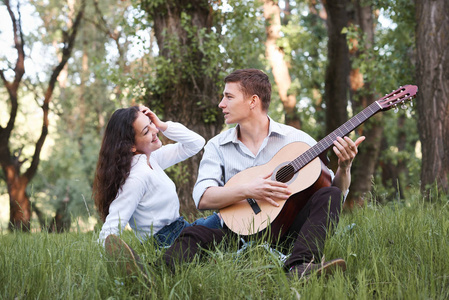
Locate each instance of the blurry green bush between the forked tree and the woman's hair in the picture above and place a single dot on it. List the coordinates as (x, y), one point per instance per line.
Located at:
(70, 175)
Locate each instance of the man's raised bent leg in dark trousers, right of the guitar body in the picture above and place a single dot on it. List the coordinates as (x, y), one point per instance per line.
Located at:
(323, 213)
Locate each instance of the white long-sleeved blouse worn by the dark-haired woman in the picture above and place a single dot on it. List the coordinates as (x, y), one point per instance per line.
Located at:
(148, 200)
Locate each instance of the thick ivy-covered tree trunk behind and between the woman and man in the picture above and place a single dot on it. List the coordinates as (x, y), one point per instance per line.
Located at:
(189, 95)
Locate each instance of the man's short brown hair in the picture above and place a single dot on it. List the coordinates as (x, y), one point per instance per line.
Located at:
(252, 82)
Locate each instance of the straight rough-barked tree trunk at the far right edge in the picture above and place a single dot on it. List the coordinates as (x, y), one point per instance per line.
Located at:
(432, 77)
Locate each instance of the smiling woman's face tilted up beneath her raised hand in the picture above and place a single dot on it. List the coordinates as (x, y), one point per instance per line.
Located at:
(146, 139)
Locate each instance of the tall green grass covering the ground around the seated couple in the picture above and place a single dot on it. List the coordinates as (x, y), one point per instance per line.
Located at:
(397, 251)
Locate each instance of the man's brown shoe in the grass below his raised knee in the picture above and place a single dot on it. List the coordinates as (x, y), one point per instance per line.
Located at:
(325, 268)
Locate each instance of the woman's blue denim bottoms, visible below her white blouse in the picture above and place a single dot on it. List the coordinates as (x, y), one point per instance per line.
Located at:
(168, 234)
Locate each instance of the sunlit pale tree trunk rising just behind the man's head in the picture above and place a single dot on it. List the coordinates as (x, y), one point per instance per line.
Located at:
(279, 66)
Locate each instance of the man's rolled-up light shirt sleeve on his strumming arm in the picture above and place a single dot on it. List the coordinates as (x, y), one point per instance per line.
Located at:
(210, 172)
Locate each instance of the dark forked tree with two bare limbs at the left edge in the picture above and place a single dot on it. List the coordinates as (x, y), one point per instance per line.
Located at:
(10, 159)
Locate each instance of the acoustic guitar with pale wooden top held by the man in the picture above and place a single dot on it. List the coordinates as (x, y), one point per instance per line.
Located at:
(300, 166)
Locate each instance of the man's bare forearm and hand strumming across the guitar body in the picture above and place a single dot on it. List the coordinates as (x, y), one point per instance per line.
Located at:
(260, 188)
